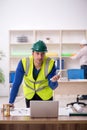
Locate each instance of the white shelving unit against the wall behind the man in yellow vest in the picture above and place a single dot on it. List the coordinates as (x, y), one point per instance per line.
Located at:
(61, 45)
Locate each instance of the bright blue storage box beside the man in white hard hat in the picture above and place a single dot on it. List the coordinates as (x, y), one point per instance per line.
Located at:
(75, 73)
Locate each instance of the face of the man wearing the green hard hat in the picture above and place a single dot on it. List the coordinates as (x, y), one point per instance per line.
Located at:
(38, 57)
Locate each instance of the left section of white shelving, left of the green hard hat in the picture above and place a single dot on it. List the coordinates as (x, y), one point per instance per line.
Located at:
(20, 45)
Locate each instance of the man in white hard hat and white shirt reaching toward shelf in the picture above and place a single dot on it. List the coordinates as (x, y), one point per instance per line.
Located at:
(82, 56)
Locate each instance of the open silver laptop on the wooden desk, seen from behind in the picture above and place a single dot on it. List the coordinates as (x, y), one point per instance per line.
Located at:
(44, 109)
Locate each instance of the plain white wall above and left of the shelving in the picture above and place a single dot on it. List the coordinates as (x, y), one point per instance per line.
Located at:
(37, 14)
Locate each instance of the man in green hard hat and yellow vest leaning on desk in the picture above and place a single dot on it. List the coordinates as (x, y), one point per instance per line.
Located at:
(36, 71)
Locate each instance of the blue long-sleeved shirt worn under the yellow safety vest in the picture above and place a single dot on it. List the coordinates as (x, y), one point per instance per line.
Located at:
(19, 74)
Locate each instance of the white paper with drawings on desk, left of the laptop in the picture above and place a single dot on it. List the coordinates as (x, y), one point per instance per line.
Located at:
(20, 112)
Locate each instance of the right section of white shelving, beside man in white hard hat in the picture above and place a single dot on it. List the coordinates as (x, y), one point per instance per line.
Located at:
(70, 40)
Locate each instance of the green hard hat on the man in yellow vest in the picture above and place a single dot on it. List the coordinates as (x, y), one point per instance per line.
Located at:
(39, 46)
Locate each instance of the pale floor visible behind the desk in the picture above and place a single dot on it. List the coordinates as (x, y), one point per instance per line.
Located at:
(20, 101)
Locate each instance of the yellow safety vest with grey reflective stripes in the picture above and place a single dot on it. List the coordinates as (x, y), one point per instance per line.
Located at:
(39, 86)
